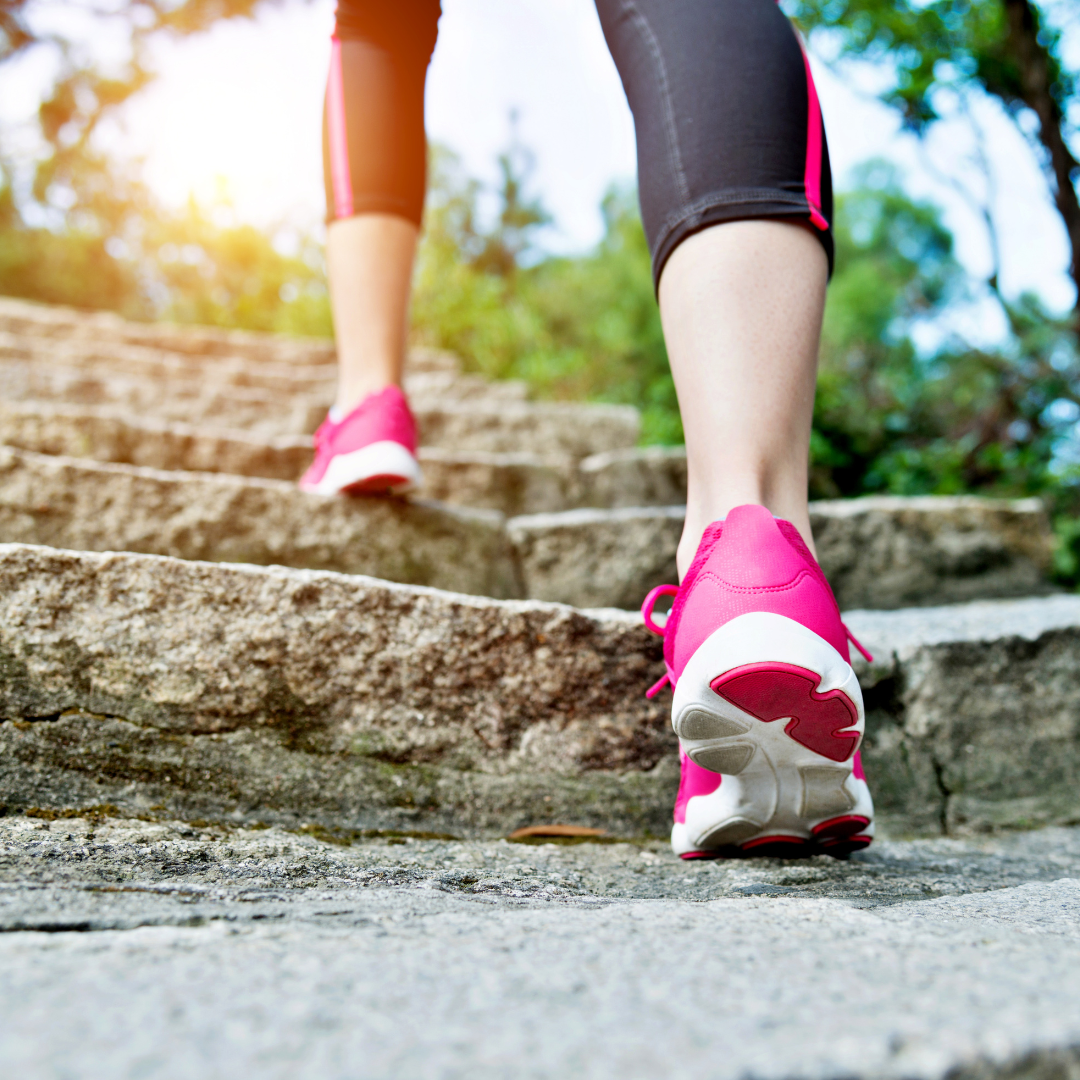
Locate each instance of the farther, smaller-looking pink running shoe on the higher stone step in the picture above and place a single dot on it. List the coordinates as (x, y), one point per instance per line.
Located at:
(372, 450)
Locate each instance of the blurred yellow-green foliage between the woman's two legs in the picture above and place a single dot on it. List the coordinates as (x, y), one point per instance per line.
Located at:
(584, 328)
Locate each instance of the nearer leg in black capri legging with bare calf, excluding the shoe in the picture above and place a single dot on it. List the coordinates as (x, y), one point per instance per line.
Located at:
(736, 199)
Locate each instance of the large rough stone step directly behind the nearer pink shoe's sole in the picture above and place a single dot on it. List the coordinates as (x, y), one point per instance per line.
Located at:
(283, 695)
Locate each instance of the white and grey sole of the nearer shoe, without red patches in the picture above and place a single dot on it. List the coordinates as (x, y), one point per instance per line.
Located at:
(781, 787)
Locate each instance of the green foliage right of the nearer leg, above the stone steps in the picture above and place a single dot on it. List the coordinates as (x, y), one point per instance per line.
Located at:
(963, 420)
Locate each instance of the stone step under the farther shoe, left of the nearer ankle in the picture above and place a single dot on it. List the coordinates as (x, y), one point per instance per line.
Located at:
(605, 559)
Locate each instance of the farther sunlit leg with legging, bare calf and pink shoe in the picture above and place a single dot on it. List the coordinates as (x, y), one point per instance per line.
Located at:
(375, 165)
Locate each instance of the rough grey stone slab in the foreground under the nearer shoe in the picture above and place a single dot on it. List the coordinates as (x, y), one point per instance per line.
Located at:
(170, 950)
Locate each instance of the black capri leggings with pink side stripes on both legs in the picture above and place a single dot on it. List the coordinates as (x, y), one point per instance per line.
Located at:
(726, 113)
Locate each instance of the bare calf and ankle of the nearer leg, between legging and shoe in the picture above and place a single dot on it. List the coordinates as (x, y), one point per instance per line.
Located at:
(741, 306)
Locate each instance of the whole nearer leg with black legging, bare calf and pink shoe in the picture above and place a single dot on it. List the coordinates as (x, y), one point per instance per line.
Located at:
(736, 200)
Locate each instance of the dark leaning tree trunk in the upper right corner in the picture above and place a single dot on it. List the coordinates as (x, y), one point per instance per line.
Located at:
(1035, 80)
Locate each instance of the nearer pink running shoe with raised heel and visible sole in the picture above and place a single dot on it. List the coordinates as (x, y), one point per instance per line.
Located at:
(755, 637)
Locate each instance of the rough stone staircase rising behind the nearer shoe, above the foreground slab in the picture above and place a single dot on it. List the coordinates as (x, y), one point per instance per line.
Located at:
(183, 631)
